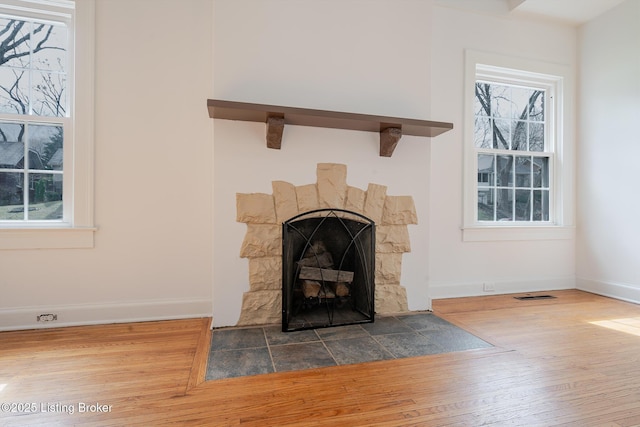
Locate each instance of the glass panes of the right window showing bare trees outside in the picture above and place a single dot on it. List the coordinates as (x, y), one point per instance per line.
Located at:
(512, 152)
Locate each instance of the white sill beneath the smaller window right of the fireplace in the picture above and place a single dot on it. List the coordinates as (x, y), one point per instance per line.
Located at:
(511, 233)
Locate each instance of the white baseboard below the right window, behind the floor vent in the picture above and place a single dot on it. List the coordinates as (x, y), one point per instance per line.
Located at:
(439, 290)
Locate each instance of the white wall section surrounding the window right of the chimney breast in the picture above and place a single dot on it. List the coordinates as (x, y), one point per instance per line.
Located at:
(460, 268)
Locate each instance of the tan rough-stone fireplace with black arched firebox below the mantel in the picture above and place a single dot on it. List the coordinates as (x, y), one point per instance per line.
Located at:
(369, 210)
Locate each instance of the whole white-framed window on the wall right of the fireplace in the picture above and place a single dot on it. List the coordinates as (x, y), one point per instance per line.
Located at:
(517, 167)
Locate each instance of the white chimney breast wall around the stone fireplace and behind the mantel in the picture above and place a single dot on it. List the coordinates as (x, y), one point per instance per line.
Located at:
(357, 56)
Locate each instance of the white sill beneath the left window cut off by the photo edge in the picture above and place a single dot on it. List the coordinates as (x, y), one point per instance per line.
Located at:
(47, 238)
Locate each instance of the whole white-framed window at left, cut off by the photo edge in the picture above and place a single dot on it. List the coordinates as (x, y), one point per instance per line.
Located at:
(46, 123)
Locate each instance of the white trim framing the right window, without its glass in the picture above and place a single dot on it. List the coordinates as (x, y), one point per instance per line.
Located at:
(560, 225)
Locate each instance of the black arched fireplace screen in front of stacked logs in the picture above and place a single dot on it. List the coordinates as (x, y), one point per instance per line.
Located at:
(328, 269)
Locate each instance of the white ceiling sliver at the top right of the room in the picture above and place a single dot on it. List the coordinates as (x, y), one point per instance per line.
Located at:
(574, 12)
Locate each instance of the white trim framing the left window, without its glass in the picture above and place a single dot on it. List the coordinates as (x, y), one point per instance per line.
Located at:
(78, 231)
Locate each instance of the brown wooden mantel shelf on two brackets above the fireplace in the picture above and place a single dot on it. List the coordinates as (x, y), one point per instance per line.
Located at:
(391, 129)
